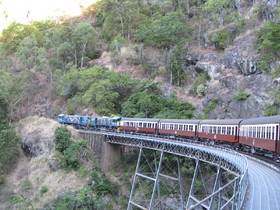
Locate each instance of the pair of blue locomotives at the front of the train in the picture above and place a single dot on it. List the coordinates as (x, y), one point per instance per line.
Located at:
(82, 122)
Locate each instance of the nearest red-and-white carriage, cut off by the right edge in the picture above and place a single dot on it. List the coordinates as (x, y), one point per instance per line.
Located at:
(261, 133)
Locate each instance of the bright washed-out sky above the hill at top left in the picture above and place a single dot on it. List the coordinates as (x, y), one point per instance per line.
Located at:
(24, 11)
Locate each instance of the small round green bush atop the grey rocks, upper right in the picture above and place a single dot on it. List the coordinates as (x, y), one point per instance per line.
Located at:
(221, 39)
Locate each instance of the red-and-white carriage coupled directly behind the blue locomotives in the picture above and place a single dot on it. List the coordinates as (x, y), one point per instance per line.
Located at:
(147, 125)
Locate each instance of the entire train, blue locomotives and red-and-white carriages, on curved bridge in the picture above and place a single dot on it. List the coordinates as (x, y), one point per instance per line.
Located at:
(257, 135)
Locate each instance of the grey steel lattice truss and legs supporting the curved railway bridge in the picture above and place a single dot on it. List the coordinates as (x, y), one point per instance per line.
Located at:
(172, 174)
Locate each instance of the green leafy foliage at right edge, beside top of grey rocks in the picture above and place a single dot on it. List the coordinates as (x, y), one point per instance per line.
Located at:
(269, 41)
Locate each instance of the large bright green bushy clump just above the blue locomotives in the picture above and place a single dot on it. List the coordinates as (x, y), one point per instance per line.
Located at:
(97, 87)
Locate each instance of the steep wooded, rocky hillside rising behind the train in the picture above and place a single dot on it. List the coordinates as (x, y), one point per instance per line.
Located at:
(216, 62)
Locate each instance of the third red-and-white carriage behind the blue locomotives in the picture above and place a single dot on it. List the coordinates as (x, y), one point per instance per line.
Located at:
(223, 130)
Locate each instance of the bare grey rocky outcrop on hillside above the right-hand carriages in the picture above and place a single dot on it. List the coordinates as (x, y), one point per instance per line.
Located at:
(233, 71)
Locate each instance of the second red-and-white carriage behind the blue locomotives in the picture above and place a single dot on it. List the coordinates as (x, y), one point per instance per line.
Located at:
(178, 127)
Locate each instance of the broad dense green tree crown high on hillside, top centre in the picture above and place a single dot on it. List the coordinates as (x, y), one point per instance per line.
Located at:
(165, 31)
